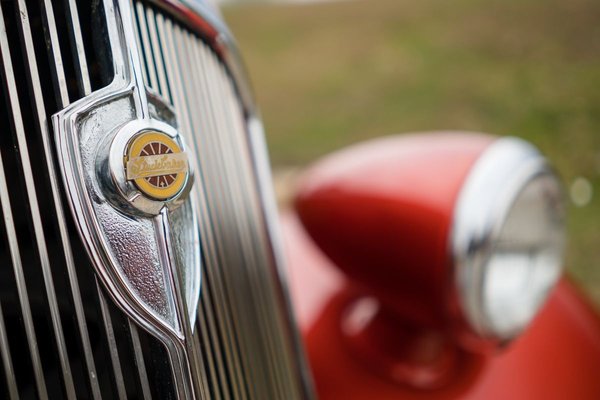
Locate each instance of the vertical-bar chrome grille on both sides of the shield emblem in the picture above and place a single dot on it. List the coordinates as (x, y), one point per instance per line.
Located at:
(60, 336)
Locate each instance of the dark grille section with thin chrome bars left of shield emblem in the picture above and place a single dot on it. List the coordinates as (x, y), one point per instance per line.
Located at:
(59, 336)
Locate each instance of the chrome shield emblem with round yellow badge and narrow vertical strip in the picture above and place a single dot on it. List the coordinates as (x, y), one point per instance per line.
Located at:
(128, 177)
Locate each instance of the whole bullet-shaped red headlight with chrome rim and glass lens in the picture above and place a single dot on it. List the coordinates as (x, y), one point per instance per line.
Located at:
(457, 233)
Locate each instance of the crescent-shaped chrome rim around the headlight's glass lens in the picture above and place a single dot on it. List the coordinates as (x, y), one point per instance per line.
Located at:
(498, 177)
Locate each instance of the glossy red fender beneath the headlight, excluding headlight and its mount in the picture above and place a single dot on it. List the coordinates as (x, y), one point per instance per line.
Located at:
(558, 357)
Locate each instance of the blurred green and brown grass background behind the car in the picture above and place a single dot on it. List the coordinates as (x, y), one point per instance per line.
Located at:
(327, 75)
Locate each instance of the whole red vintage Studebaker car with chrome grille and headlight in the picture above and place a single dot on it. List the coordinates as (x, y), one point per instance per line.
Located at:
(141, 255)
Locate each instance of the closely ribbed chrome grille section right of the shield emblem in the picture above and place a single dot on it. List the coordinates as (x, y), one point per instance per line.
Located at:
(241, 329)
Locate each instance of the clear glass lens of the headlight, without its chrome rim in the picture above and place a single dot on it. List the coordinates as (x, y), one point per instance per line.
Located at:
(527, 258)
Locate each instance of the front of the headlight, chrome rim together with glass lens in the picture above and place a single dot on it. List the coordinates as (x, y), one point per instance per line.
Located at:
(509, 239)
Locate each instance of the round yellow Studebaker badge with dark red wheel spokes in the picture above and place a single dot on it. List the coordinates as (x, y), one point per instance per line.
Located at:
(156, 164)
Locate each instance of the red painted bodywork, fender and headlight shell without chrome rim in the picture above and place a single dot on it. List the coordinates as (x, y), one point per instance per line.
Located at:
(355, 352)
